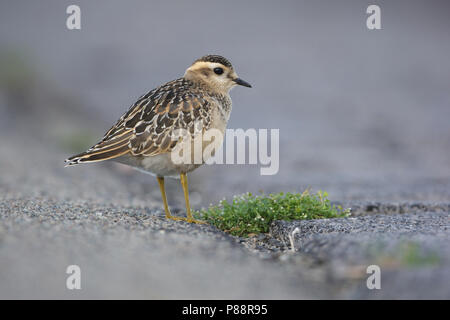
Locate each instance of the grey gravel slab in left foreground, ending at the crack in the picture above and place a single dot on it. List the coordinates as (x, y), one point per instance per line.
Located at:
(128, 253)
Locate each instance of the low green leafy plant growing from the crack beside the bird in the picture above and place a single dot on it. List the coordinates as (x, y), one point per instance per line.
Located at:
(248, 214)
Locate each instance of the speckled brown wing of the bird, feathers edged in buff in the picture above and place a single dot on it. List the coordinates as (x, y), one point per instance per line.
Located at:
(147, 127)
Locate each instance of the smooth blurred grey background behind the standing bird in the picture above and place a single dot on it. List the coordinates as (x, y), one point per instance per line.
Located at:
(362, 113)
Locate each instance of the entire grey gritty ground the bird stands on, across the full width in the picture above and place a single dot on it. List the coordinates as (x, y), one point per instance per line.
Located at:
(116, 232)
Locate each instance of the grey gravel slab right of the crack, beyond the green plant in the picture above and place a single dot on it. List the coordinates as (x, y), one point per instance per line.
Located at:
(414, 248)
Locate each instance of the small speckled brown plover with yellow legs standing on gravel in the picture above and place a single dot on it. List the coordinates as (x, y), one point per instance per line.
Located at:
(143, 137)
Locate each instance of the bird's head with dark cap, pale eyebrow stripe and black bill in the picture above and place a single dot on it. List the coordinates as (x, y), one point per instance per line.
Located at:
(216, 72)
